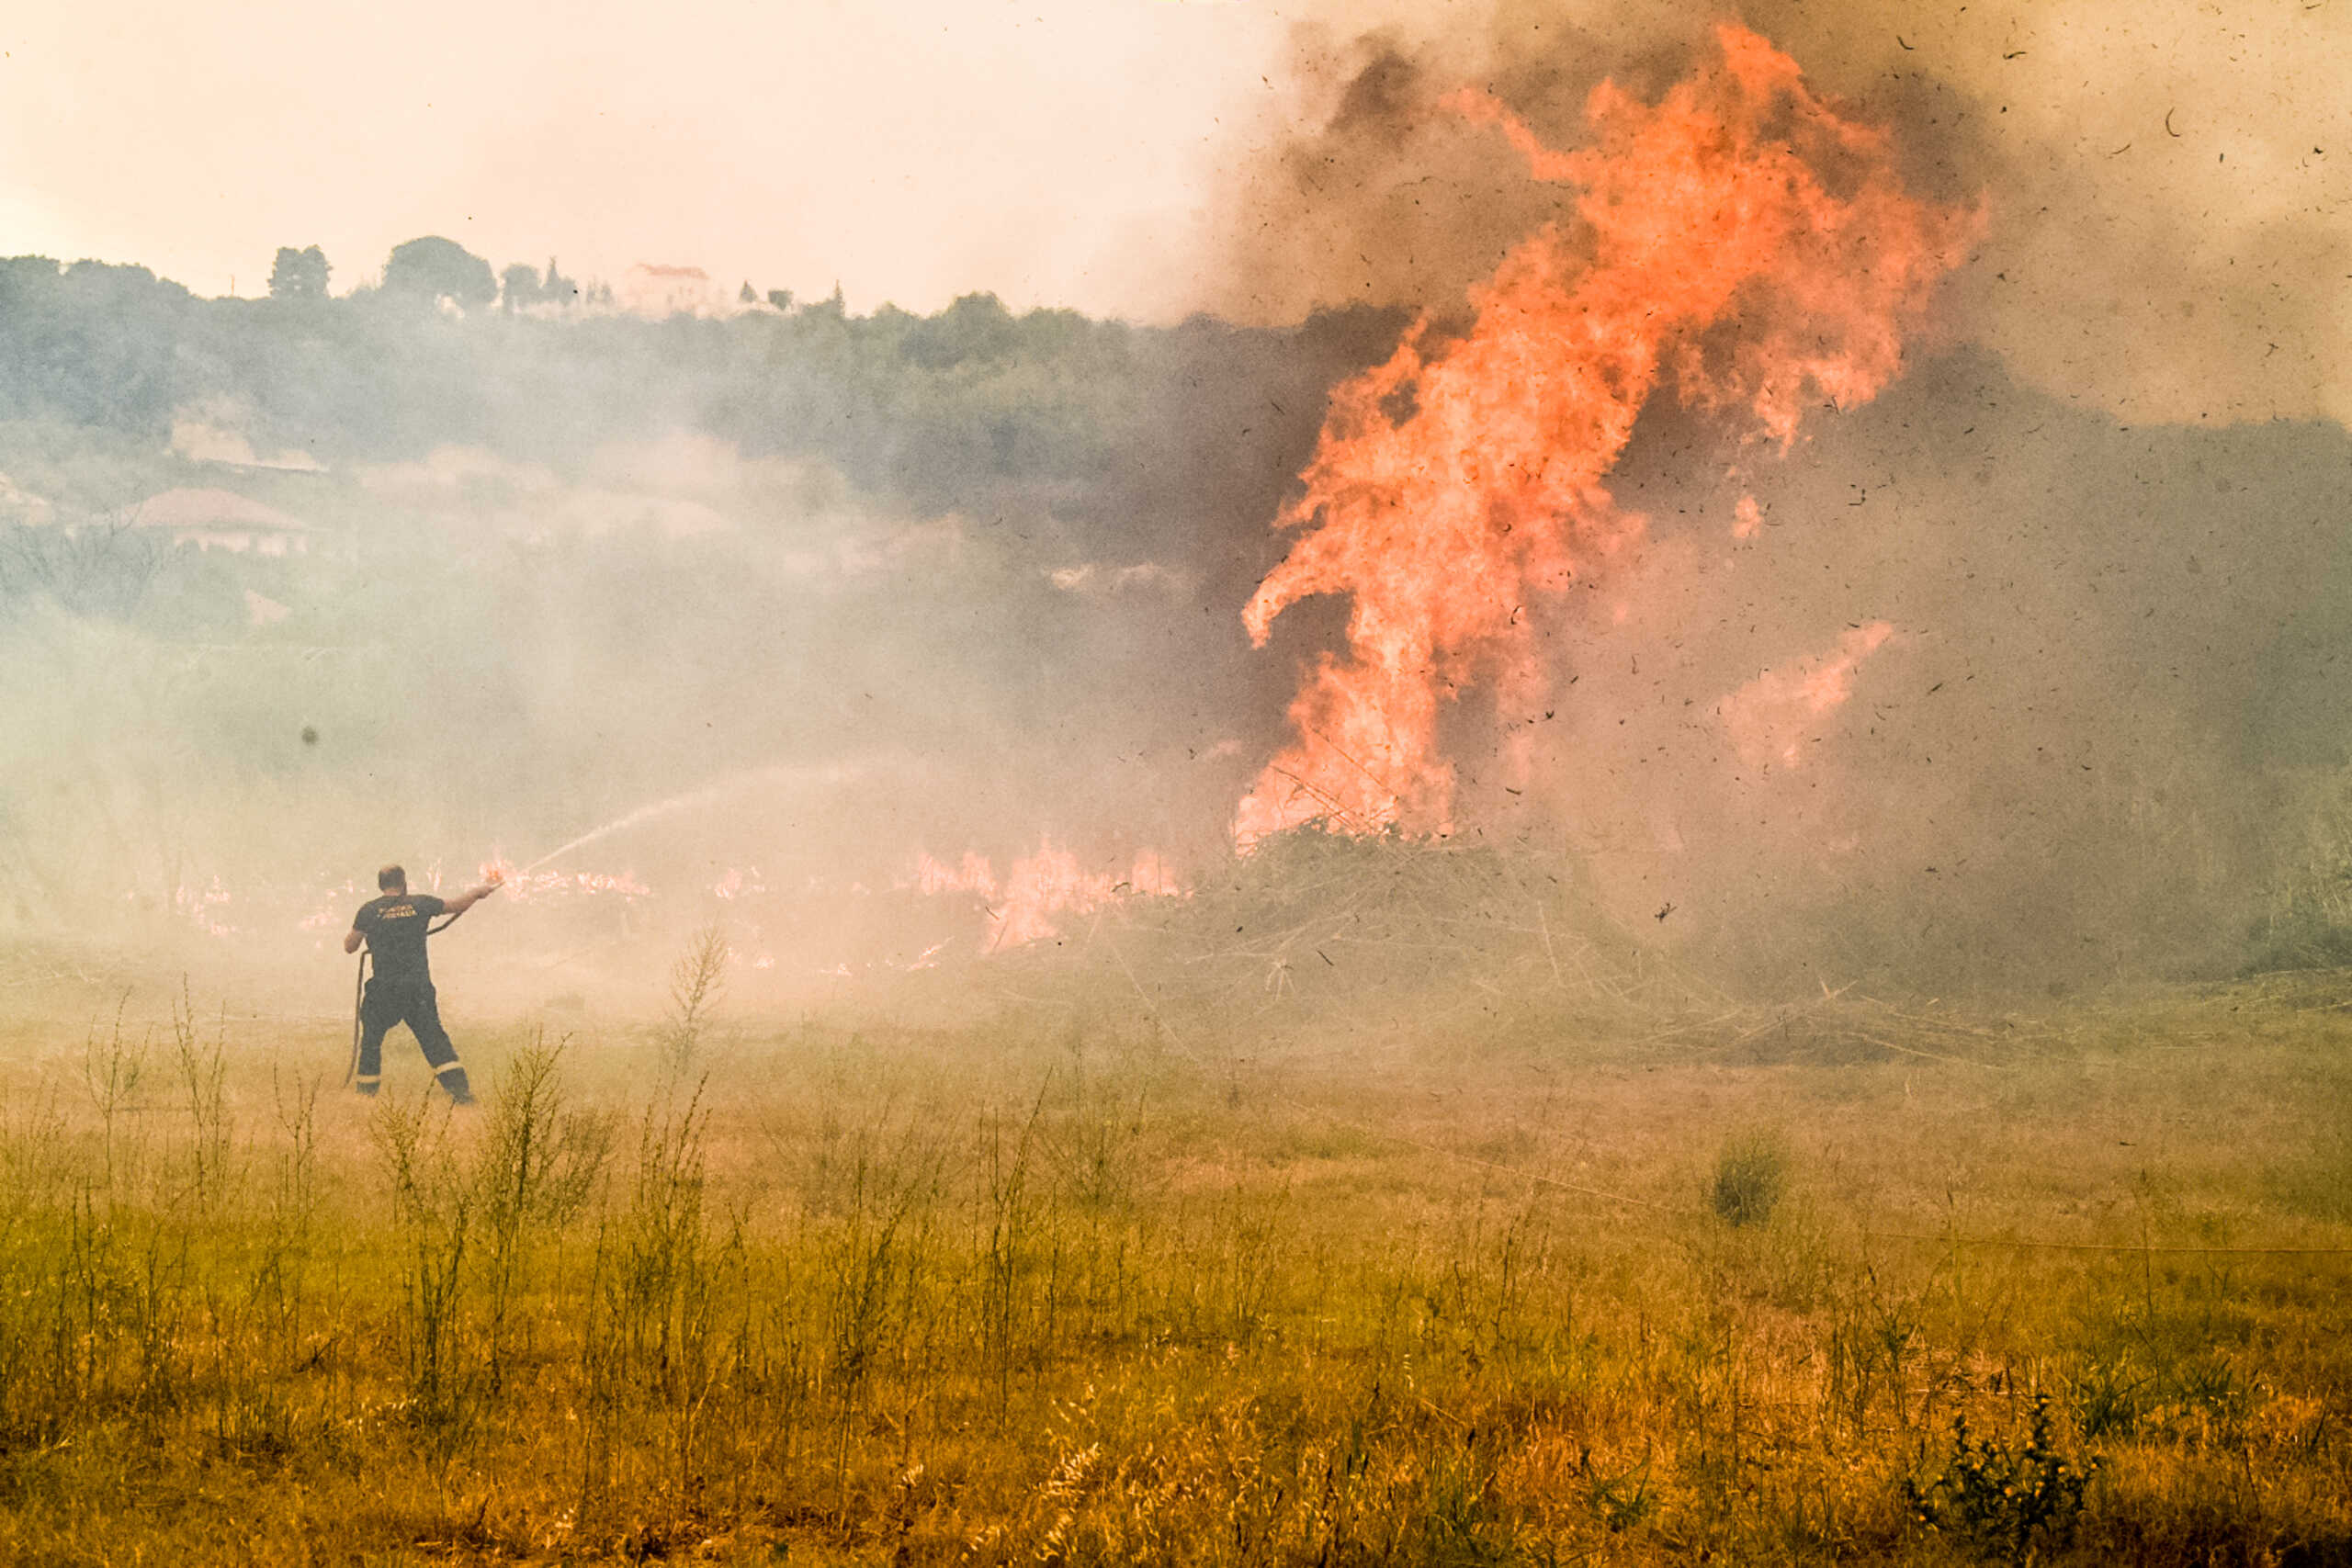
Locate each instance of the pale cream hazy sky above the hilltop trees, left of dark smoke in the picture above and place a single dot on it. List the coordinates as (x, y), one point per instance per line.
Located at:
(1055, 149)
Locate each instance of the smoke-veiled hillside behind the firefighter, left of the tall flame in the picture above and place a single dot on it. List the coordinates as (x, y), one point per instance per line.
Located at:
(853, 589)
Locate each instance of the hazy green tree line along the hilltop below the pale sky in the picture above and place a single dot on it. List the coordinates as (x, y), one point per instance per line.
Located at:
(926, 408)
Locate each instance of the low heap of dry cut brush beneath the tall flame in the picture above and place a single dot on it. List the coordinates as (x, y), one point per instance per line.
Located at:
(1318, 932)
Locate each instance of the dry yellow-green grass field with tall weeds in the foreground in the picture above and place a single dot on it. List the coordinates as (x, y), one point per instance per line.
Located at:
(1067, 1287)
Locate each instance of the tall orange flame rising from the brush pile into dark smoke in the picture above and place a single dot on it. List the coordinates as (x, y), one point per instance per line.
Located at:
(1742, 241)
